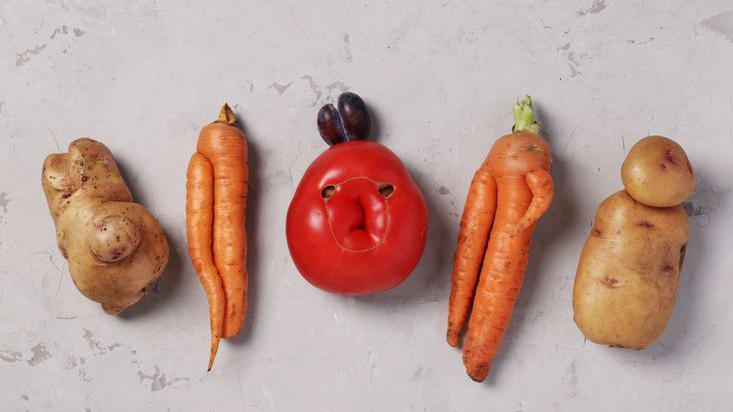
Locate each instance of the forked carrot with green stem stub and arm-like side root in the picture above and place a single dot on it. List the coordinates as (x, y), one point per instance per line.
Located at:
(519, 165)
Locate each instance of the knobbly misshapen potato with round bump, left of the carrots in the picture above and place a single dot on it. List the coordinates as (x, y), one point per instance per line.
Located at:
(115, 248)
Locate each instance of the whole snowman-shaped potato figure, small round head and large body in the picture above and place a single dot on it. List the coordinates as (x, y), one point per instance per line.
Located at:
(630, 265)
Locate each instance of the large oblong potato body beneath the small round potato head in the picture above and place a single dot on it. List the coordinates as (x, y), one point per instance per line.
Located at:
(628, 272)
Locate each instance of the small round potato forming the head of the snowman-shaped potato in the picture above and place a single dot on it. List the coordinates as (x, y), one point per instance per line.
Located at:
(656, 172)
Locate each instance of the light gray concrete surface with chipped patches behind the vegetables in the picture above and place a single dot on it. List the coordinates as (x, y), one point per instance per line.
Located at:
(440, 77)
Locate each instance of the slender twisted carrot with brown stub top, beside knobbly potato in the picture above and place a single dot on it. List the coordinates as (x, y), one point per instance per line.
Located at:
(215, 215)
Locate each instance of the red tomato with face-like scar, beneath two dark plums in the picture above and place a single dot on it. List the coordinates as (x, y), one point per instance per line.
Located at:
(358, 222)
